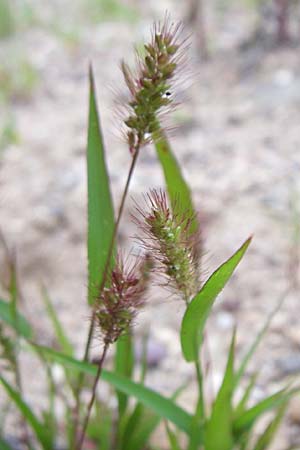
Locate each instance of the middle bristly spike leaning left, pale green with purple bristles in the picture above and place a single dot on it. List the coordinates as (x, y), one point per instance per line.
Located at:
(169, 239)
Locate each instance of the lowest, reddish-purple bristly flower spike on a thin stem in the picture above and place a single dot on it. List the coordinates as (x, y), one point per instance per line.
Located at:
(118, 304)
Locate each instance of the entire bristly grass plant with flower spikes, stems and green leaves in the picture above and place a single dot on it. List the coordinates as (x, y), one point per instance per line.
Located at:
(171, 248)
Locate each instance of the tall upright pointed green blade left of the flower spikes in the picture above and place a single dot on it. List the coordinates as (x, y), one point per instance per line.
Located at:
(100, 206)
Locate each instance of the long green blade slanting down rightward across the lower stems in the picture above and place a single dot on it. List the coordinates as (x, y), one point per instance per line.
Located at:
(162, 406)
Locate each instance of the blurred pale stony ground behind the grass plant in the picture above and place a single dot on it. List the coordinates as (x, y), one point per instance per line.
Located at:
(236, 136)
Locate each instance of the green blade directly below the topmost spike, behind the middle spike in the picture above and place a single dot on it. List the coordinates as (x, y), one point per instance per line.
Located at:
(178, 190)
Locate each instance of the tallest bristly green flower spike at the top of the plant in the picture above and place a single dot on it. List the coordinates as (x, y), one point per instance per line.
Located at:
(150, 87)
